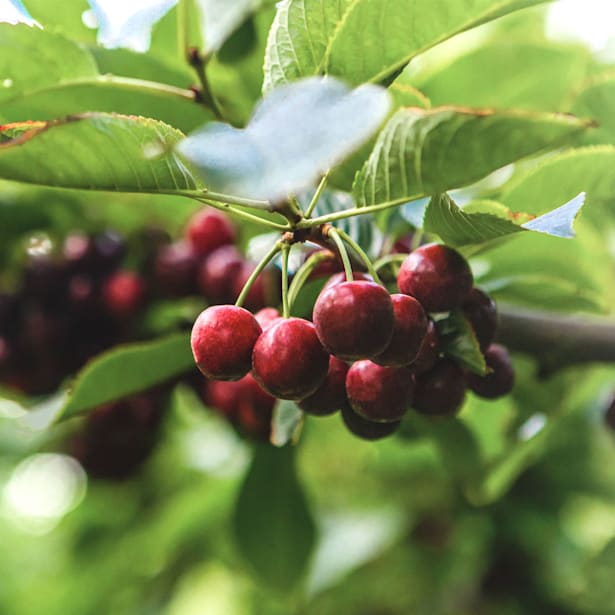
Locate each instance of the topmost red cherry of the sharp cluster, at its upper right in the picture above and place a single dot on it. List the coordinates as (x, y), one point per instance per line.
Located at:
(438, 276)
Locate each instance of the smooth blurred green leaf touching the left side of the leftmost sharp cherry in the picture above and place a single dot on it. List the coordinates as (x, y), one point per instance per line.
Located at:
(128, 369)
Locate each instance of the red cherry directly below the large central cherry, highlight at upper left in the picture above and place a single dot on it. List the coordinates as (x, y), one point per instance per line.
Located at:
(381, 394)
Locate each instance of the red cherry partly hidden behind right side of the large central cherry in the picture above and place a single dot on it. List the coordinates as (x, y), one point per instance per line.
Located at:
(409, 331)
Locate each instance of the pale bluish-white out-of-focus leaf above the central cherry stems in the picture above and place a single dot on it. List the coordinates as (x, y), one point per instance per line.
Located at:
(297, 133)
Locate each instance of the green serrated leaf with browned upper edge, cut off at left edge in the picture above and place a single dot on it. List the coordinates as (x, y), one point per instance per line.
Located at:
(94, 151)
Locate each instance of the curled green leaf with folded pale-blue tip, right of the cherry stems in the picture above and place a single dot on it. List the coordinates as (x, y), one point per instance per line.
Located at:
(458, 227)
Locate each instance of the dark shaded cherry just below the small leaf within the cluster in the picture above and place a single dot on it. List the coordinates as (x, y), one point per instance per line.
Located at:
(440, 391)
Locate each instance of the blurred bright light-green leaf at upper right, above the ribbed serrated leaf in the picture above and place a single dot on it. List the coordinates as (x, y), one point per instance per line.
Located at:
(514, 74)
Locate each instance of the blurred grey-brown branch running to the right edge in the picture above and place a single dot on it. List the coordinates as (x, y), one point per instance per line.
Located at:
(556, 340)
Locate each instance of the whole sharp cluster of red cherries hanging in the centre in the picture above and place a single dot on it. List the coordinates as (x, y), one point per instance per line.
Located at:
(371, 354)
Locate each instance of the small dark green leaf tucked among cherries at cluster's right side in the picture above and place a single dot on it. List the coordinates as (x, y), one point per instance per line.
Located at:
(459, 342)
